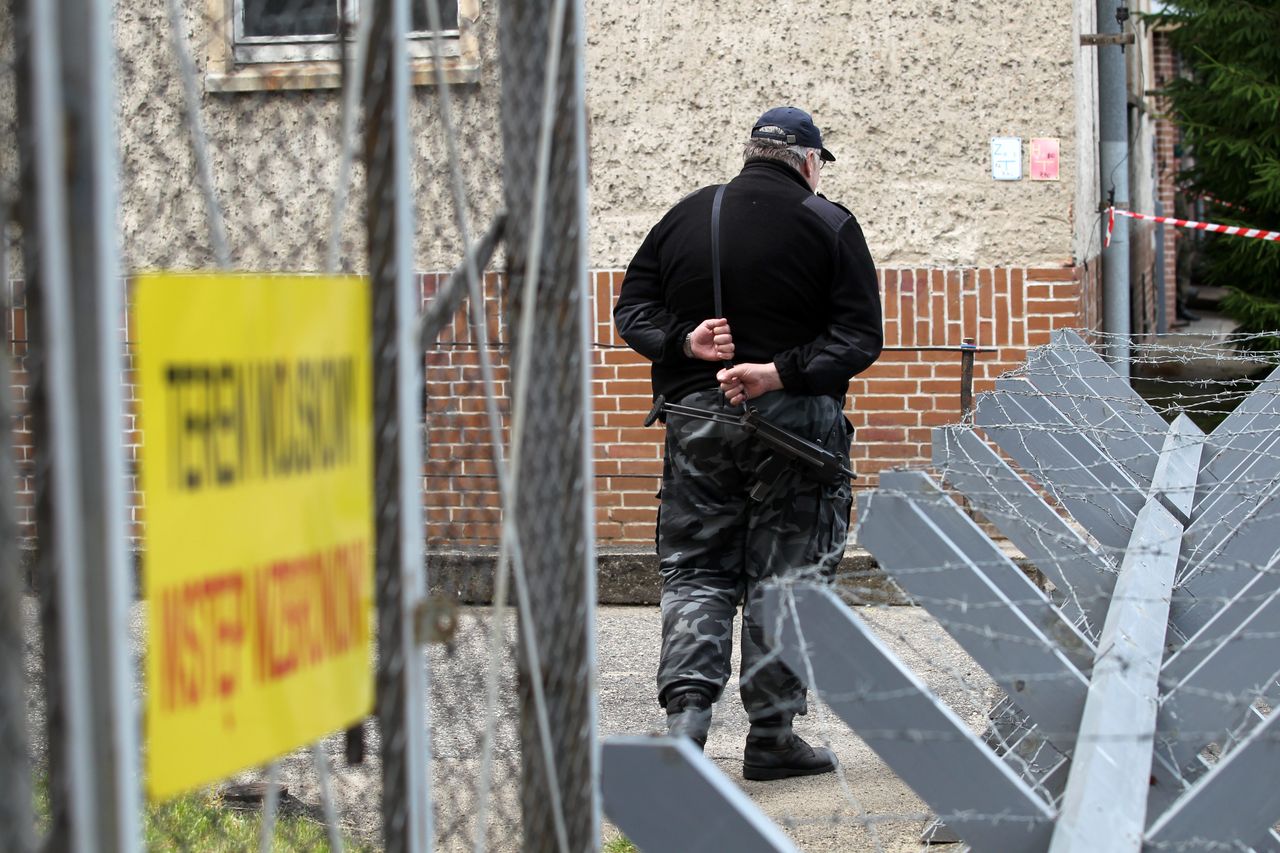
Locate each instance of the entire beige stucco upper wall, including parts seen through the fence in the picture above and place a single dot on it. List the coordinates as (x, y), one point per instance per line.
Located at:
(909, 95)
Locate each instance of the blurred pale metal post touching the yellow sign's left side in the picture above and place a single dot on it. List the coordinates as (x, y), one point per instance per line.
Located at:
(98, 297)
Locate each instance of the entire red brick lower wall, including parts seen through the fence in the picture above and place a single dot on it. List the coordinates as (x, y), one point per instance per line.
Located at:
(916, 386)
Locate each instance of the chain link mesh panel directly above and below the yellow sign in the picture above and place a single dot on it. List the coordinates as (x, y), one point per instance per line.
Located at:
(253, 163)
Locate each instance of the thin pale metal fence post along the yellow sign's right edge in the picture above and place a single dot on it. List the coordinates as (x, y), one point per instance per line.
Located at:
(397, 453)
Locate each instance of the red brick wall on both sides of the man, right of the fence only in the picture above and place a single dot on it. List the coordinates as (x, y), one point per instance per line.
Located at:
(916, 385)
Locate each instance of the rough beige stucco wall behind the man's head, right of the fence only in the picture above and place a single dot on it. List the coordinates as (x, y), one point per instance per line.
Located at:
(908, 94)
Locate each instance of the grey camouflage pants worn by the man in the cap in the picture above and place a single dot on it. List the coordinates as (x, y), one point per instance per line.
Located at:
(716, 545)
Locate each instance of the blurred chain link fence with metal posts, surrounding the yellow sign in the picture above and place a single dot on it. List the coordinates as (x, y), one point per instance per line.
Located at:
(281, 136)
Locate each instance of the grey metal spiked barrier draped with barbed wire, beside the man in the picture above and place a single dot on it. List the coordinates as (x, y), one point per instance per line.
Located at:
(1135, 691)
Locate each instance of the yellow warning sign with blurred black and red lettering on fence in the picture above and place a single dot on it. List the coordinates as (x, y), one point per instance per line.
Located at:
(258, 492)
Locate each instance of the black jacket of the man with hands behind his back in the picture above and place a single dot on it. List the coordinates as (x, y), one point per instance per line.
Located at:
(798, 285)
